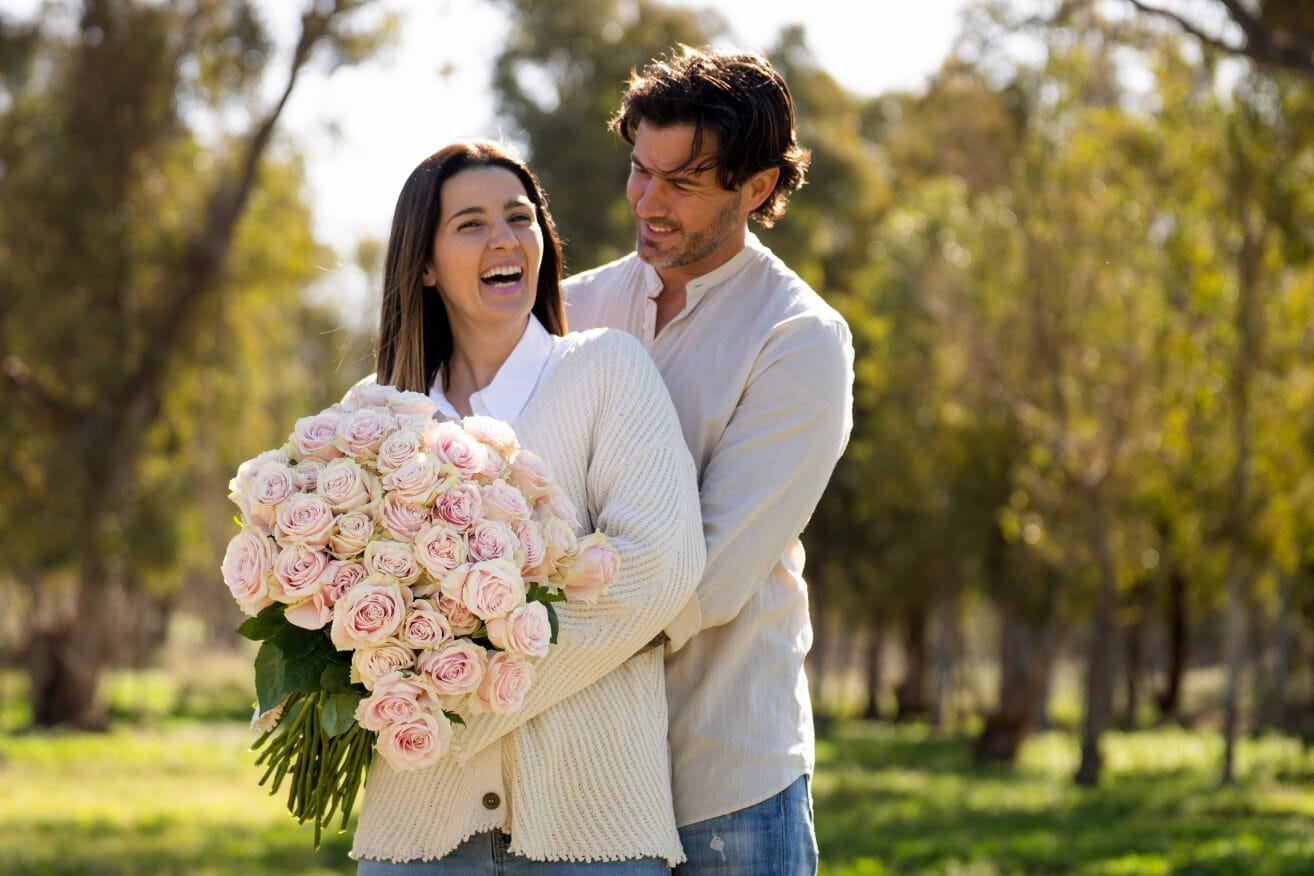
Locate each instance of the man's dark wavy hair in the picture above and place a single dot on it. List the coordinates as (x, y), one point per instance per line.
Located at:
(740, 98)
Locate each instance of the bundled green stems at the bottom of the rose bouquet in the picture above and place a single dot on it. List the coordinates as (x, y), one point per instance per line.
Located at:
(327, 772)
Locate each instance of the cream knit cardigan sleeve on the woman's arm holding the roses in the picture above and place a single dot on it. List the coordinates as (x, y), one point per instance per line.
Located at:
(643, 496)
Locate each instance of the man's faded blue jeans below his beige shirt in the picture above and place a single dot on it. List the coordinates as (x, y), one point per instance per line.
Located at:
(772, 839)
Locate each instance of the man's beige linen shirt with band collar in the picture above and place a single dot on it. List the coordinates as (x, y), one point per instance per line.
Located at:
(761, 374)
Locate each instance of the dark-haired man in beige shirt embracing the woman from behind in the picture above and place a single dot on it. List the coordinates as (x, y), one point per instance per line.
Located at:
(761, 374)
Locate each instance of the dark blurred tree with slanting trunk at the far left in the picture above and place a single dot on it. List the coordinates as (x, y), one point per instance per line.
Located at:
(116, 240)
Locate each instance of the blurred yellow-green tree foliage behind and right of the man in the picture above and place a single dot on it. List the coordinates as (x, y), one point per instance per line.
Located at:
(1078, 280)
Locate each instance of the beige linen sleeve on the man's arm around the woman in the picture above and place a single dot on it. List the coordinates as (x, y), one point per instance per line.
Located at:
(772, 464)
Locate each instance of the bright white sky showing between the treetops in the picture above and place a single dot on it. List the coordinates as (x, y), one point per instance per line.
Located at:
(388, 116)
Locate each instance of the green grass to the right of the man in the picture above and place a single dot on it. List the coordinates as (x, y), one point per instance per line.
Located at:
(905, 800)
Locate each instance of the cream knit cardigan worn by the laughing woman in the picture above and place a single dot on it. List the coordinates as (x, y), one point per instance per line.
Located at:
(584, 765)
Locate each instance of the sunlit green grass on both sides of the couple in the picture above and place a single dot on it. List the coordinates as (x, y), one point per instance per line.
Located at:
(181, 797)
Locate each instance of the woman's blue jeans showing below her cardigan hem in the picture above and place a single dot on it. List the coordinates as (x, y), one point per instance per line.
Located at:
(488, 854)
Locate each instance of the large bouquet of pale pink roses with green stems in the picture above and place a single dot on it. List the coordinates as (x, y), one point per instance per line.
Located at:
(399, 571)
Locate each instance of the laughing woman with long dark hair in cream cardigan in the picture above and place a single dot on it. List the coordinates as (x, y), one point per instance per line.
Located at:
(578, 781)
